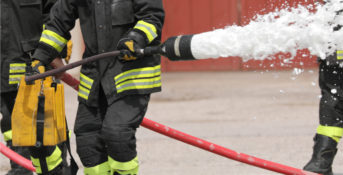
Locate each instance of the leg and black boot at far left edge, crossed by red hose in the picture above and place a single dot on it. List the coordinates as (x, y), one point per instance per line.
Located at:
(7, 103)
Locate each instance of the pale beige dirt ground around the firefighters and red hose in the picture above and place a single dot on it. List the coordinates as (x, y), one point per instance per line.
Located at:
(270, 115)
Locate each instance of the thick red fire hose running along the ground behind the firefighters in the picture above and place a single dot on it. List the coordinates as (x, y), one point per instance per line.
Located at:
(186, 138)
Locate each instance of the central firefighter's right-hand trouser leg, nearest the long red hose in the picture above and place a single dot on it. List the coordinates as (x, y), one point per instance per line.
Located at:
(122, 119)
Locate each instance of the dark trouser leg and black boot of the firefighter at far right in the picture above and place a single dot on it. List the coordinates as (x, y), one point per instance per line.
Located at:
(331, 119)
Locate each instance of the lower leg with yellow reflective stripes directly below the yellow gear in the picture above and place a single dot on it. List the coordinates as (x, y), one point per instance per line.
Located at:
(48, 160)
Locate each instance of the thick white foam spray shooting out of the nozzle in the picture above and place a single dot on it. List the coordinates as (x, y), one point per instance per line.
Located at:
(285, 30)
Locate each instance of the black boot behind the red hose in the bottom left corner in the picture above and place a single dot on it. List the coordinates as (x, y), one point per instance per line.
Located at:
(15, 168)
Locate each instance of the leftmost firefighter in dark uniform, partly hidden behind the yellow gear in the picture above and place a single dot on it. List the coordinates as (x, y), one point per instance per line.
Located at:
(21, 27)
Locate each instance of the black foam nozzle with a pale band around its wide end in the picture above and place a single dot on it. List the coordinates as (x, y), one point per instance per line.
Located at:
(175, 48)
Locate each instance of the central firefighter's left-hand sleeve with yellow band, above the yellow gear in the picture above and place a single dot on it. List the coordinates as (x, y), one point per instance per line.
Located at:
(56, 34)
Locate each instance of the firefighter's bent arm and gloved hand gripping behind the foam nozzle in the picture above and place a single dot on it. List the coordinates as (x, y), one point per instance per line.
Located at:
(147, 31)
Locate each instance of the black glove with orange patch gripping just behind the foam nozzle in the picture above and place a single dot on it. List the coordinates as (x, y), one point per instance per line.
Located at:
(129, 46)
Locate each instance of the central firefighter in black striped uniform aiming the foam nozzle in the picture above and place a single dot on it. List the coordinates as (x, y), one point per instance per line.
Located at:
(114, 92)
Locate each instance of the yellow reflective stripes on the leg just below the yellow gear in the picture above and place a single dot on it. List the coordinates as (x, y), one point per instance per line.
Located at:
(52, 161)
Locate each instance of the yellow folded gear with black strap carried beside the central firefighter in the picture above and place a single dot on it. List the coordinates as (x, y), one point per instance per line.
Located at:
(26, 130)
